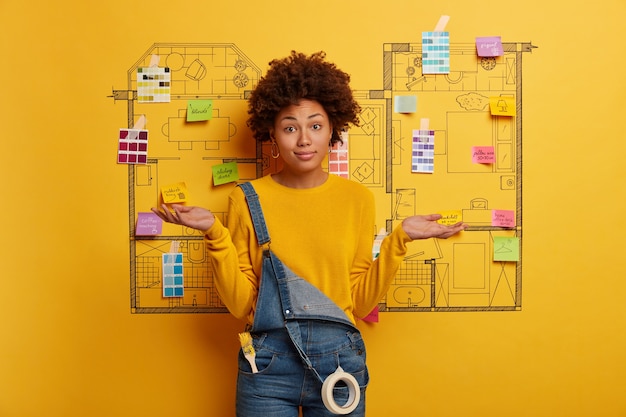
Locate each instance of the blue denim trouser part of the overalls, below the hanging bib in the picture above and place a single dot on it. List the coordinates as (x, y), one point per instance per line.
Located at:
(284, 384)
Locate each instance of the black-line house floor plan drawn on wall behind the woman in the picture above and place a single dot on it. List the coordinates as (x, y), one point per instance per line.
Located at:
(457, 274)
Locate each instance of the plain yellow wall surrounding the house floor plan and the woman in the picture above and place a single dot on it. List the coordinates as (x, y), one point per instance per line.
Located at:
(69, 343)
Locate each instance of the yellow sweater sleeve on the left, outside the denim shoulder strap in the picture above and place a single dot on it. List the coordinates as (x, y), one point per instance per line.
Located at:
(234, 277)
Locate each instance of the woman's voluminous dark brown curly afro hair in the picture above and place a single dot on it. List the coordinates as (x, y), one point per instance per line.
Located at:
(298, 77)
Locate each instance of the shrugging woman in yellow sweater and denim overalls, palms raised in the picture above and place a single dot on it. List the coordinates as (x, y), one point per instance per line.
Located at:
(319, 228)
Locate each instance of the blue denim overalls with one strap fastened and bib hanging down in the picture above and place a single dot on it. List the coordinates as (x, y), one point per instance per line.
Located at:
(300, 337)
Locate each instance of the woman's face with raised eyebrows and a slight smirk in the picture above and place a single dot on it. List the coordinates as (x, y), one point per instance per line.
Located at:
(302, 132)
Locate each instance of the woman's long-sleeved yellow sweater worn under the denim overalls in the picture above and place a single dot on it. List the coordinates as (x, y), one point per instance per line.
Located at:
(323, 234)
